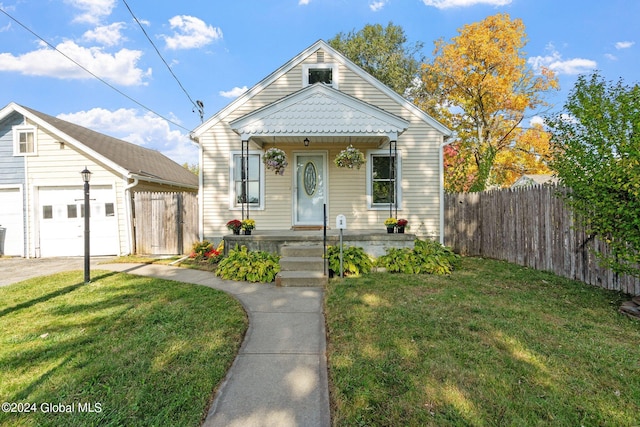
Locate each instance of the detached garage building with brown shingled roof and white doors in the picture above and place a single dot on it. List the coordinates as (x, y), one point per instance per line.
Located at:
(41, 189)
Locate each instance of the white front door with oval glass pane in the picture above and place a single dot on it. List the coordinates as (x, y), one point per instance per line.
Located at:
(310, 189)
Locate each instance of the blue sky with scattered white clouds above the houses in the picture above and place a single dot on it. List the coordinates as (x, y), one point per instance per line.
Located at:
(218, 49)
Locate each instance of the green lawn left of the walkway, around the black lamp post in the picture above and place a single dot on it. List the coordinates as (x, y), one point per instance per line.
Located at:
(148, 351)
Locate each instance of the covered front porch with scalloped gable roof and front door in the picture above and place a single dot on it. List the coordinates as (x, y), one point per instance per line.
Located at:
(309, 129)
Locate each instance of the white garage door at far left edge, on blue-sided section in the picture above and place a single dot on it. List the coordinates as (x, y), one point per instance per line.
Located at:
(12, 220)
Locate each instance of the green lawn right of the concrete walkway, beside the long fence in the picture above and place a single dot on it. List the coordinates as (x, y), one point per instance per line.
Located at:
(493, 344)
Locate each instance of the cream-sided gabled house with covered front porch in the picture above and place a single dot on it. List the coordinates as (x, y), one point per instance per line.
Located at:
(312, 107)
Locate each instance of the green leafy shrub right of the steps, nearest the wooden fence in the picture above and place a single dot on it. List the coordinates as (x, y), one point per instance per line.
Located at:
(427, 256)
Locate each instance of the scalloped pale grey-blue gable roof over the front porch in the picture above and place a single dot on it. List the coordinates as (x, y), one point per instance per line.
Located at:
(319, 110)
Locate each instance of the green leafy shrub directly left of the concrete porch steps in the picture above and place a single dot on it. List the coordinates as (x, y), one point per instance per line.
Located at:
(251, 266)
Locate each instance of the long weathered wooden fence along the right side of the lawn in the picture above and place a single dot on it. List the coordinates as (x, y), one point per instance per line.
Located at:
(531, 227)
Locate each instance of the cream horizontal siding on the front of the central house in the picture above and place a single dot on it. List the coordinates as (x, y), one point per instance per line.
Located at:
(419, 181)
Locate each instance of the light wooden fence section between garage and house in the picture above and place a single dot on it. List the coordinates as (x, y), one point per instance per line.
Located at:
(165, 223)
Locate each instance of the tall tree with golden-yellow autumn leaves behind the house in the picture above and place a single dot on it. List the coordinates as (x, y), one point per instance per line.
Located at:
(480, 86)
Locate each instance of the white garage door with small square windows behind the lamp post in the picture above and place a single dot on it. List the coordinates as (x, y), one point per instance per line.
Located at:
(62, 221)
